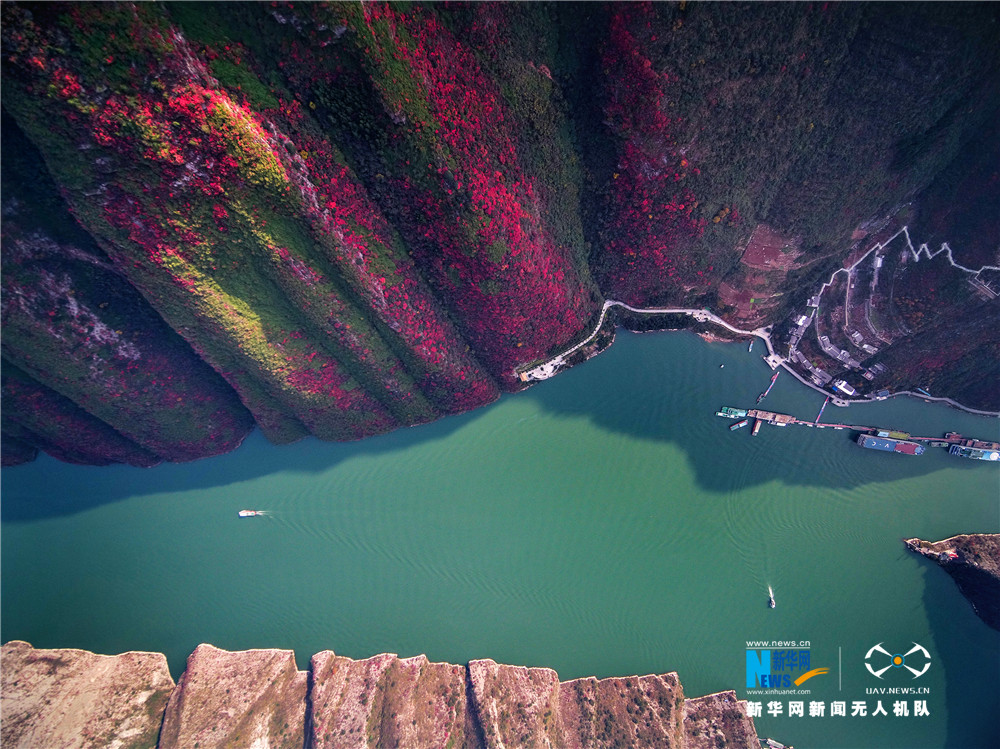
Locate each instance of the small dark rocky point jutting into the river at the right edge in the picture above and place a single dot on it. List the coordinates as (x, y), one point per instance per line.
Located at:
(973, 561)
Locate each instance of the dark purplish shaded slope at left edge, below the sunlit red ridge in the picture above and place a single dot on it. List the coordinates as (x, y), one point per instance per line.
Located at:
(91, 373)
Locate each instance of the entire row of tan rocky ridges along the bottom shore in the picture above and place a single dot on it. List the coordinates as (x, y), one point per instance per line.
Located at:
(257, 698)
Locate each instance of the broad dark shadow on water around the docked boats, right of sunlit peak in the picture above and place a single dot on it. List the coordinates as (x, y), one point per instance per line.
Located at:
(671, 393)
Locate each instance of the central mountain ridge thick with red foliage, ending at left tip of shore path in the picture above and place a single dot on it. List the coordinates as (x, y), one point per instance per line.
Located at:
(475, 223)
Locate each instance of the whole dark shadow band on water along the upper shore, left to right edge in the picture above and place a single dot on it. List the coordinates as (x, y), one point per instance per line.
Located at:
(662, 387)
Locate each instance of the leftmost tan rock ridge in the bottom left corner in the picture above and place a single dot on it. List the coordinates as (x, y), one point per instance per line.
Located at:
(73, 698)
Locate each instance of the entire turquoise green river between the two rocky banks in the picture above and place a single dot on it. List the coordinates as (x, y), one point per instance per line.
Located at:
(603, 522)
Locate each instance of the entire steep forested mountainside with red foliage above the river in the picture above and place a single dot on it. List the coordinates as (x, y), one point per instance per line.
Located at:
(338, 220)
